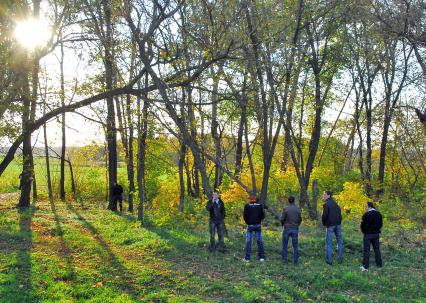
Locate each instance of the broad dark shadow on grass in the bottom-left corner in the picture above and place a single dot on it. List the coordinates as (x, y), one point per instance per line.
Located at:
(16, 246)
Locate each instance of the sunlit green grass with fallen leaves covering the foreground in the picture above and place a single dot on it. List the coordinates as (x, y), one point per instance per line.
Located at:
(64, 252)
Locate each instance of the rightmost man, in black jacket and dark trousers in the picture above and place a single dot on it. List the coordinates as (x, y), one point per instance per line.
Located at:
(371, 224)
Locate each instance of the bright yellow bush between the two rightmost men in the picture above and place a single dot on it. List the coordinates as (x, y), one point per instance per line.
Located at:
(352, 200)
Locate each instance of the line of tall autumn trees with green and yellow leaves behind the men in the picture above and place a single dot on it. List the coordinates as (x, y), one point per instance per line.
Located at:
(236, 83)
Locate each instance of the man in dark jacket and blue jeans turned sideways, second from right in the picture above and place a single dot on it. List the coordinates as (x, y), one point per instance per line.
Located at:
(332, 220)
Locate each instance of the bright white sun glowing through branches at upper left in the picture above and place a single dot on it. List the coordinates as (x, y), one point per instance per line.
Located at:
(32, 33)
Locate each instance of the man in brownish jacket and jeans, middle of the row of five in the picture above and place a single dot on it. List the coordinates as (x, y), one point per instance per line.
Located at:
(290, 220)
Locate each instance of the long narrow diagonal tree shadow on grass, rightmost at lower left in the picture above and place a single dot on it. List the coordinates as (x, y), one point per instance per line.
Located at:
(125, 276)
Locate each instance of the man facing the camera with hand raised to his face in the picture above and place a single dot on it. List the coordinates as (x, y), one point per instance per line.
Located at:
(217, 221)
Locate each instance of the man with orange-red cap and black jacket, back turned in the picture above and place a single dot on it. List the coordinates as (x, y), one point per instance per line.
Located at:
(253, 216)
